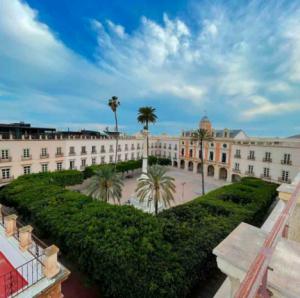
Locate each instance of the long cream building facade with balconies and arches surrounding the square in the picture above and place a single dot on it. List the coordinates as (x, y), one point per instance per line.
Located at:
(227, 155)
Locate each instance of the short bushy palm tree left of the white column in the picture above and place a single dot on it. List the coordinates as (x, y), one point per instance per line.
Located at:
(105, 185)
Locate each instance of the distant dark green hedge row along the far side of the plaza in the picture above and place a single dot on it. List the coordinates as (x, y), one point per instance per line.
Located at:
(126, 166)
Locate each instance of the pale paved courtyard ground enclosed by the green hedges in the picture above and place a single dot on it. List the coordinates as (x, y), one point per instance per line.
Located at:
(188, 185)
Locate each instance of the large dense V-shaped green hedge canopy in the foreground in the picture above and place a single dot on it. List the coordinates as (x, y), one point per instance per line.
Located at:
(134, 254)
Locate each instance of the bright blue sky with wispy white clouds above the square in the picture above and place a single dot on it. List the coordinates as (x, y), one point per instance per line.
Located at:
(60, 61)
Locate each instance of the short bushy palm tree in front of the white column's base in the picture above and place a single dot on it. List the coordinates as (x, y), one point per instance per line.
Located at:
(156, 186)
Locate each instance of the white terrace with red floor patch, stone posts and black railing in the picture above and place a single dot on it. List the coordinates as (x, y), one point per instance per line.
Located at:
(27, 266)
